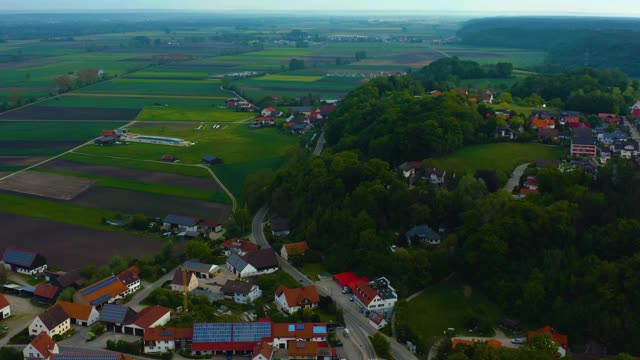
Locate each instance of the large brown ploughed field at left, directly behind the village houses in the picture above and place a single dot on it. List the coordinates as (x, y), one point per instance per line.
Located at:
(66, 246)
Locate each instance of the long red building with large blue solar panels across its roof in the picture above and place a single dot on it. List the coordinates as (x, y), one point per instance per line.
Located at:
(211, 338)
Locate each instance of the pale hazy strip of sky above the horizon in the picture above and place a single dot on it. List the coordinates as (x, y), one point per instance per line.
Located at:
(513, 7)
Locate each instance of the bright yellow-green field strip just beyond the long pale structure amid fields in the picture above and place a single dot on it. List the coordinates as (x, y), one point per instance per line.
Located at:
(192, 114)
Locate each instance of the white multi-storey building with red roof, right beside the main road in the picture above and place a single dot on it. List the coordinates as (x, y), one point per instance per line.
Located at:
(377, 295)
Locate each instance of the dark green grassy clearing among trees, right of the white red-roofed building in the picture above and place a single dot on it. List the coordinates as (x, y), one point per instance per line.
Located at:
(445, 306)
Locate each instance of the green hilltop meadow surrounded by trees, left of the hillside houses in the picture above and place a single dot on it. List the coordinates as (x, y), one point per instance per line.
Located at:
(501, 157)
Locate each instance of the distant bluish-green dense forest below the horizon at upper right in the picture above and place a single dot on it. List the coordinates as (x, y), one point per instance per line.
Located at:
(570, 42)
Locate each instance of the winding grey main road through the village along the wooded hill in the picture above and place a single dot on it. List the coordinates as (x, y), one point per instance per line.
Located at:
(356, 322)
